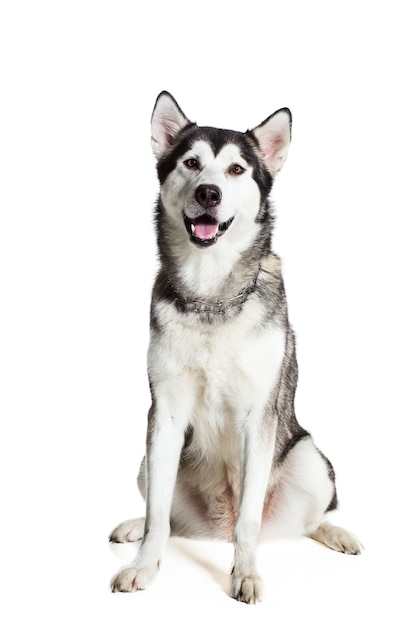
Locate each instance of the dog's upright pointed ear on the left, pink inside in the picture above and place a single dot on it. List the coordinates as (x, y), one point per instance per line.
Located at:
(167, 121)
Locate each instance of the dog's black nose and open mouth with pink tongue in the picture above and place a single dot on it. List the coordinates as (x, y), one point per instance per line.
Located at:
(204, 230)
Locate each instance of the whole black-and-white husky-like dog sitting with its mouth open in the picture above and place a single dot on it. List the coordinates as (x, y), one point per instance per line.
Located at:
(226, 458)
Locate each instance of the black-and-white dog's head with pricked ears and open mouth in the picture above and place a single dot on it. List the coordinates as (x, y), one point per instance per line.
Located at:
(216, 181)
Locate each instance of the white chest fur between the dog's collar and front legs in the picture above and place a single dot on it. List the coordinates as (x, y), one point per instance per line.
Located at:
(214, 375)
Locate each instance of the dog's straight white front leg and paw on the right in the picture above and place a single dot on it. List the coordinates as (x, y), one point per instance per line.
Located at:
(256, 458)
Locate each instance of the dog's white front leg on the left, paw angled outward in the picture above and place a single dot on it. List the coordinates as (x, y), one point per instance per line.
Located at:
(165, 439)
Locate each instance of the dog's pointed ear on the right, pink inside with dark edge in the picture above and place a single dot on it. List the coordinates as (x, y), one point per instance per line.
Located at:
(274, 136)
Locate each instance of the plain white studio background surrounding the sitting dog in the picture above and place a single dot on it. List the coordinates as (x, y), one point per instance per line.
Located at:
(77, 185)
